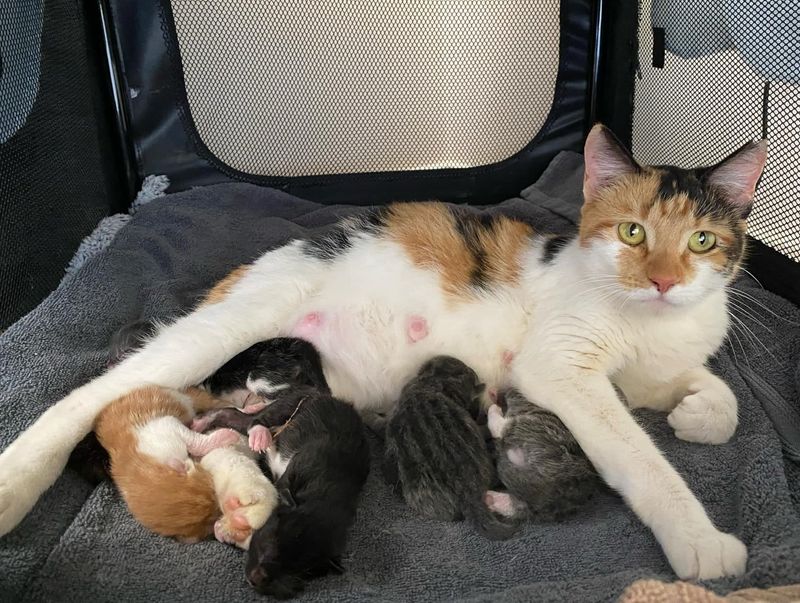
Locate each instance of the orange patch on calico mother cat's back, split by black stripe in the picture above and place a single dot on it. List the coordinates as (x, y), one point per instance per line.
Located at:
(429, 233)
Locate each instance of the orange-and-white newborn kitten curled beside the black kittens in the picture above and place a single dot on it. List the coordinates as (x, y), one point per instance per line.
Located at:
(150, 449)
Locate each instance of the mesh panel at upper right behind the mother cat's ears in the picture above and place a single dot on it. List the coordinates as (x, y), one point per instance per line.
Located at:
(709, 97)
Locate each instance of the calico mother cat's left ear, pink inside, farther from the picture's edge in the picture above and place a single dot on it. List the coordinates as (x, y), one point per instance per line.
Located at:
(606, 161)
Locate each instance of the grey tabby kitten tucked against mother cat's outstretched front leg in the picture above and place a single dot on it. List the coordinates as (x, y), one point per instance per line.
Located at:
(547, 475)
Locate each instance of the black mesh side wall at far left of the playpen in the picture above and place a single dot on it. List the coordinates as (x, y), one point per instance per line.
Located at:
(53, 185)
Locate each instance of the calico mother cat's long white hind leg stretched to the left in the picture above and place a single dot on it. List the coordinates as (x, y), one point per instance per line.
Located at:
(256, 305)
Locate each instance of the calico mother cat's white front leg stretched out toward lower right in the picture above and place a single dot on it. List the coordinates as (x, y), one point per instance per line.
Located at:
(629, 462)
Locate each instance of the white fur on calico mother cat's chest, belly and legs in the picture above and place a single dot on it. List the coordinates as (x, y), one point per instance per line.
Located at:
(571, 333)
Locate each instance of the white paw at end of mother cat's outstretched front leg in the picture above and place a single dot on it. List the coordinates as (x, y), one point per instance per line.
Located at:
(705, 554)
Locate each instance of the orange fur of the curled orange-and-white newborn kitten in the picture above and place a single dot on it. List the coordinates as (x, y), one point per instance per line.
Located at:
(165, 501)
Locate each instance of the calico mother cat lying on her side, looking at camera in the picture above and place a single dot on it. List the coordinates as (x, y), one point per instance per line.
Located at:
(636, 299)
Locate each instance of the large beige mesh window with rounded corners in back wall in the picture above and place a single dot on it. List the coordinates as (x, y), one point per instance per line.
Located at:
(287, 88)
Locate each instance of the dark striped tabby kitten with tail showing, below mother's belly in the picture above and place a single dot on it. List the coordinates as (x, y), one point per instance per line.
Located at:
(435, 451)
